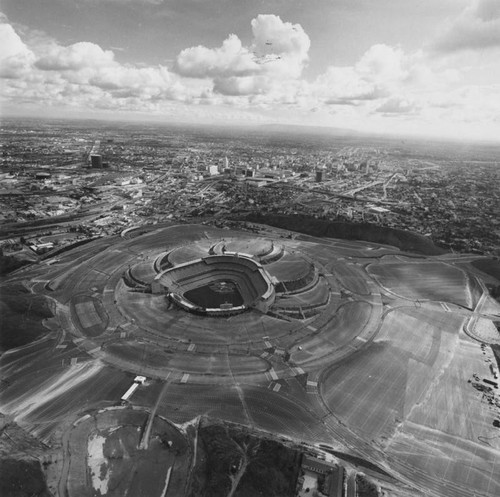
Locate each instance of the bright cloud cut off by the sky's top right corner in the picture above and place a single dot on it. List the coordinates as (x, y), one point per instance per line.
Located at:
(476, 28)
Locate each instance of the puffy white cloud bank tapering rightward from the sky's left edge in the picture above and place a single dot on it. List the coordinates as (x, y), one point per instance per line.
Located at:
(82, 74)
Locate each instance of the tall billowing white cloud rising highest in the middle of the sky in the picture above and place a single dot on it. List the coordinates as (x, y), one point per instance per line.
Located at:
(279, 50)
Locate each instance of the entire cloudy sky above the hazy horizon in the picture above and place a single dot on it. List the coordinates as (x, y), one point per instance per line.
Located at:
(393, 66)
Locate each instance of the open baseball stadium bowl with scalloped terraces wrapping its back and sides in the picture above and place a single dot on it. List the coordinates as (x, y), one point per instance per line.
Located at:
(226, 277)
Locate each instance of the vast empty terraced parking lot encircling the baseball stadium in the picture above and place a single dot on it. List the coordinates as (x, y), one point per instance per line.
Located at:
(367, 350)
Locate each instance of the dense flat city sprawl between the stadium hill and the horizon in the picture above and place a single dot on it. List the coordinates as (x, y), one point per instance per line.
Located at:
(66, 182)
